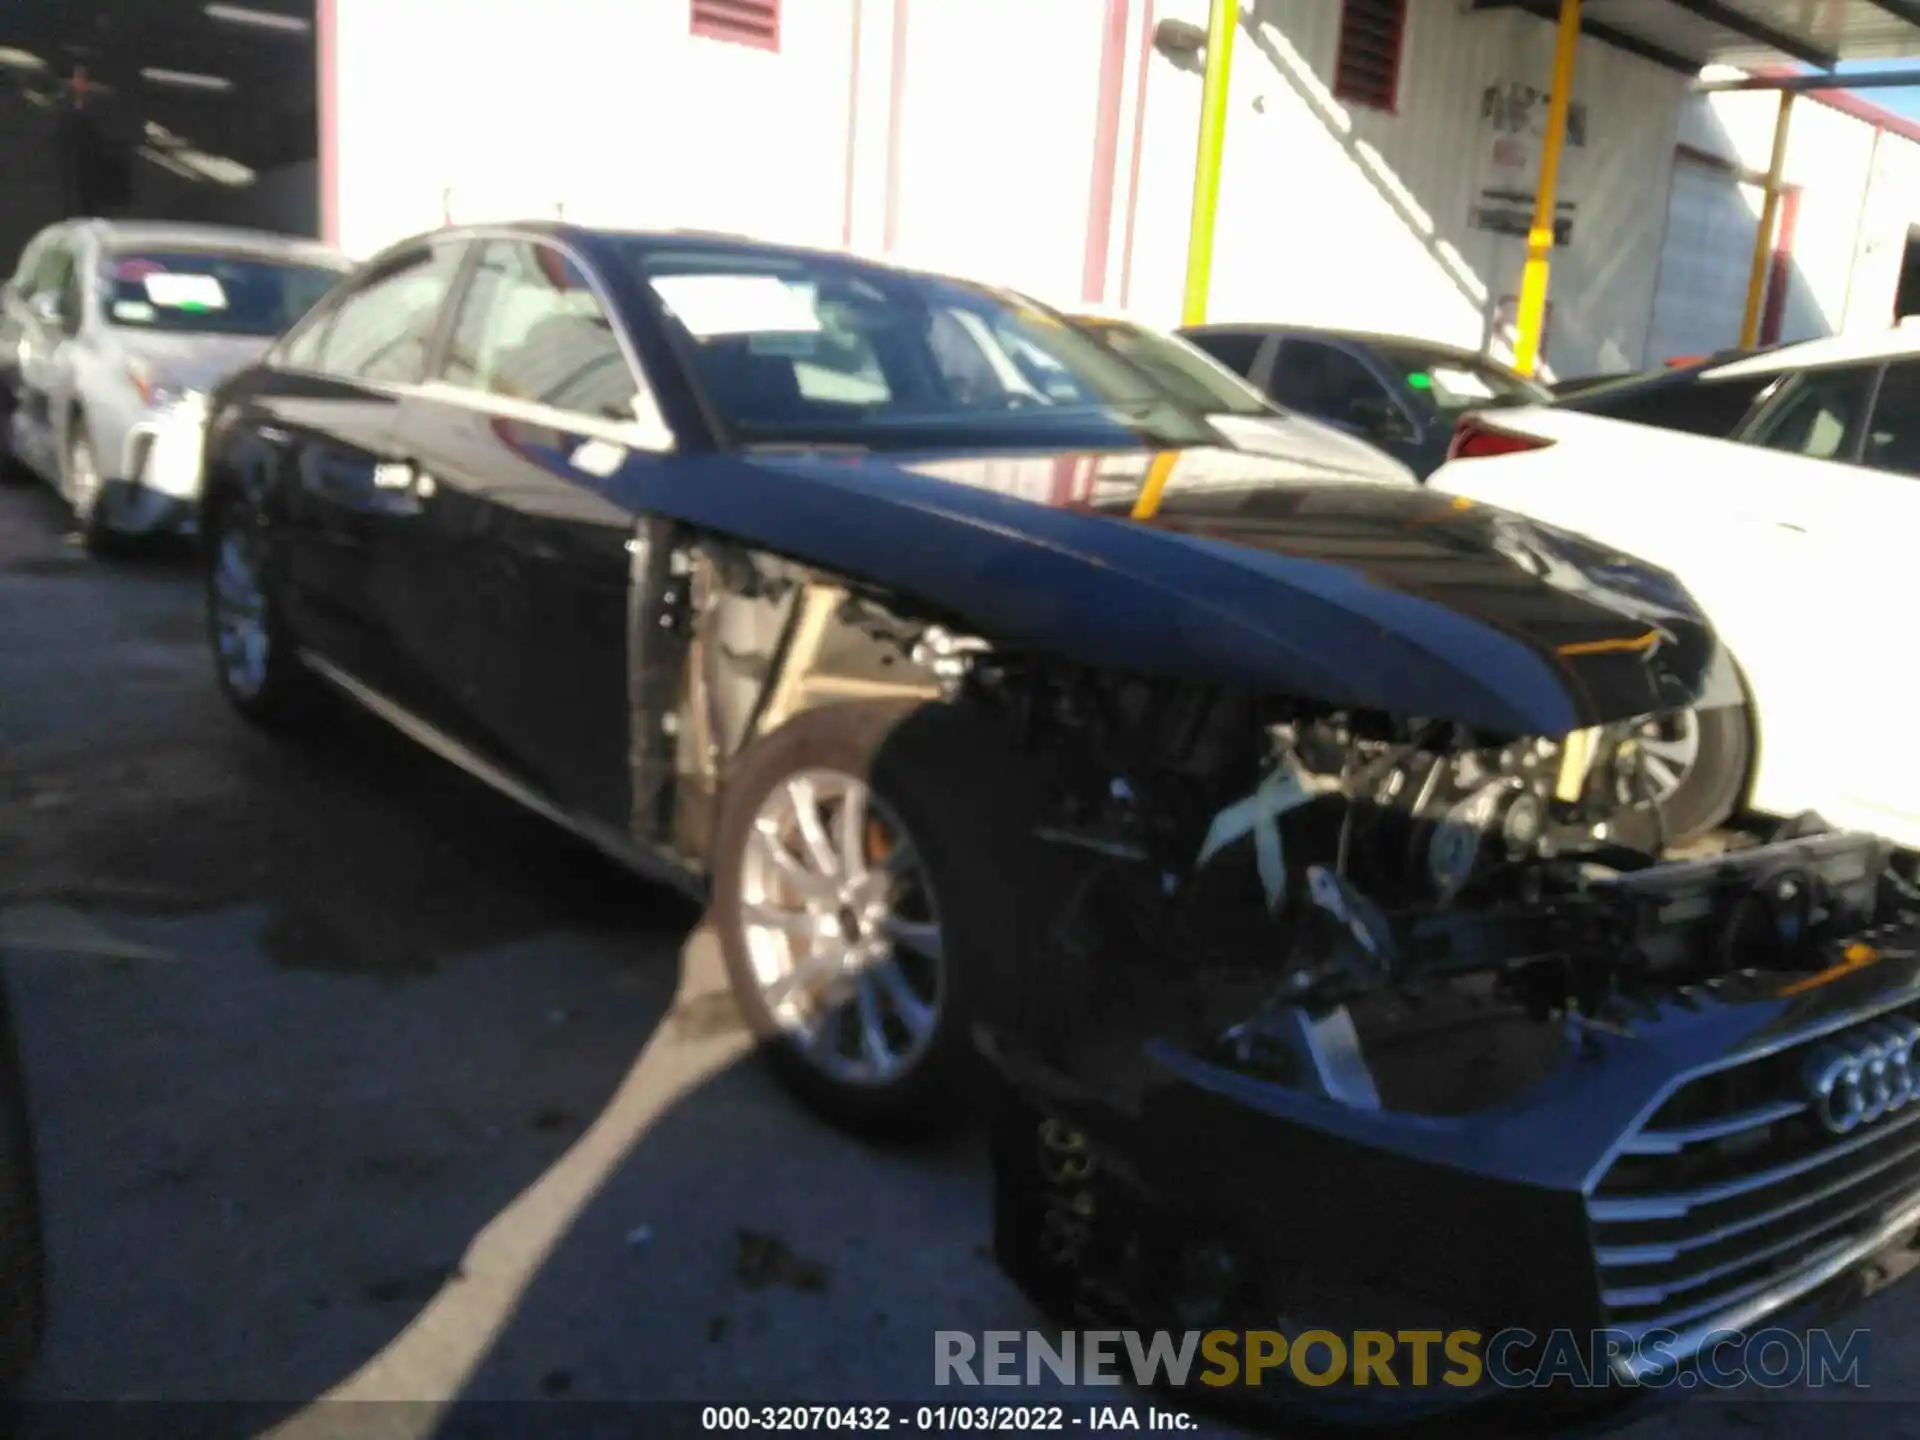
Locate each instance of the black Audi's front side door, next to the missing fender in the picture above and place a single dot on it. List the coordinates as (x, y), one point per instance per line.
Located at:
(516, 579)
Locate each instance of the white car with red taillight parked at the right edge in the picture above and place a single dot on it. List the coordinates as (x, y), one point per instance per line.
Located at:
(1800, 537)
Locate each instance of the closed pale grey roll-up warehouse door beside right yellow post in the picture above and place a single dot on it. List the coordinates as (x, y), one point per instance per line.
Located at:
(1702, 295)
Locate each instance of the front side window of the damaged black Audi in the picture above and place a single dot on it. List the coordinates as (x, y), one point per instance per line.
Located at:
(531, 329)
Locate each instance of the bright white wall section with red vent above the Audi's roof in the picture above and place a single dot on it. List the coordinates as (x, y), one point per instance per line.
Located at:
(615, 112)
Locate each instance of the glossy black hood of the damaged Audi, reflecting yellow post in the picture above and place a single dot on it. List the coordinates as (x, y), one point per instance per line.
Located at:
(1226, 567)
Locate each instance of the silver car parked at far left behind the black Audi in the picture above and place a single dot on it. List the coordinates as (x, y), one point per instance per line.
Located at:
(110, 337)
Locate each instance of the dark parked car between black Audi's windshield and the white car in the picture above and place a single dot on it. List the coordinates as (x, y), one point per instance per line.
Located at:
(1395, 393)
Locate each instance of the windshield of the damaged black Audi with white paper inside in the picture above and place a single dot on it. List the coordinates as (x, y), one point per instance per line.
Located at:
(821, 350)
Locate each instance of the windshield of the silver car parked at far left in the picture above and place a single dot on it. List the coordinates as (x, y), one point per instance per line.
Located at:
(208, 293)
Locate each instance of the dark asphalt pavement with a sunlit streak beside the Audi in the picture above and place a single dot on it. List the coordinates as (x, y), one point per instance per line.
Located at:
(352, 1082)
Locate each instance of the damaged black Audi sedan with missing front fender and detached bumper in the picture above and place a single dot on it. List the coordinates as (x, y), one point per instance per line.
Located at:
(1276, 830)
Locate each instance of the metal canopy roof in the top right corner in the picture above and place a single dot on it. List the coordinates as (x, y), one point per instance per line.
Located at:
(1687, 36)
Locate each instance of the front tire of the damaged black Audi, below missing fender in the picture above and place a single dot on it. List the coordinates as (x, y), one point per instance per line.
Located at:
(953, 805)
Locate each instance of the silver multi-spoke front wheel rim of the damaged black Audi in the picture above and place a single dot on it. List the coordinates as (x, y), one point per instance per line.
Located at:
(842, 928)
